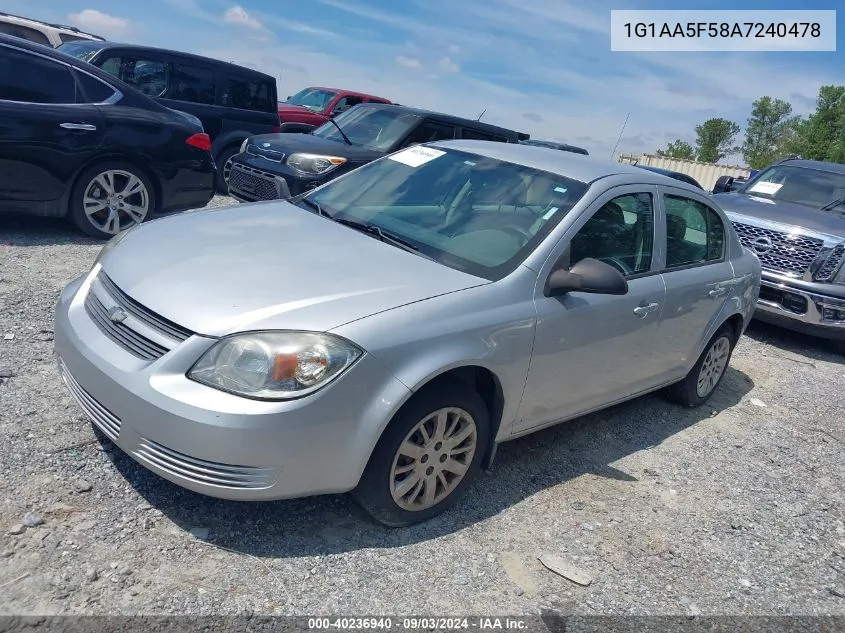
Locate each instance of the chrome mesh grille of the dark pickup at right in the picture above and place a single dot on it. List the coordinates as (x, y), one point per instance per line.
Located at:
(787, 253)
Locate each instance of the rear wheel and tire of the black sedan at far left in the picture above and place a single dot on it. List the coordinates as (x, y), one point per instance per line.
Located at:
(111, 197)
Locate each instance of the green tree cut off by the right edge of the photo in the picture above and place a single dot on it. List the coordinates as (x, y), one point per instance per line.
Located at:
(822, 135)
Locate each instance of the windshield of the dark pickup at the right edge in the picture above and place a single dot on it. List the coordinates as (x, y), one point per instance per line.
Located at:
(801, 185)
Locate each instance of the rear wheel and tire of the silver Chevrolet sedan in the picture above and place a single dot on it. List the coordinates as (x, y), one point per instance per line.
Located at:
(707, 373)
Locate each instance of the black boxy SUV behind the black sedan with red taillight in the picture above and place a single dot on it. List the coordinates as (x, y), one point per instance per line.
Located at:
(232, 102)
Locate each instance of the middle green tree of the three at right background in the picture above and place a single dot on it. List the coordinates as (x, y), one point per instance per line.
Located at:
(771, 132)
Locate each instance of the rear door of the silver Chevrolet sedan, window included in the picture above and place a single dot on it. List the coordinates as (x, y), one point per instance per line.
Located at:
(697, 274)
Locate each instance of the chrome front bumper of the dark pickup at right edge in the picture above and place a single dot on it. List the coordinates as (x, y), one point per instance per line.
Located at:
(786, 303)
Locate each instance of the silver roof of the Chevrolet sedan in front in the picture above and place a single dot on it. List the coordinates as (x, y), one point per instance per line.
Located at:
(576, 166)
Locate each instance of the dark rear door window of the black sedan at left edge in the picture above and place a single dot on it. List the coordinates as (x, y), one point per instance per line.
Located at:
(33, 79)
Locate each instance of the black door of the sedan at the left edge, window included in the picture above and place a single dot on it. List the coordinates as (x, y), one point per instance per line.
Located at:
(46, 130)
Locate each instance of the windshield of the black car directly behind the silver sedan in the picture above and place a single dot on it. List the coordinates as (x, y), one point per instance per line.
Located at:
(371, 127)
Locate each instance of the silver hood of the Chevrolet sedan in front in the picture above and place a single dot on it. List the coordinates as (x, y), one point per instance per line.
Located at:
(269, 265)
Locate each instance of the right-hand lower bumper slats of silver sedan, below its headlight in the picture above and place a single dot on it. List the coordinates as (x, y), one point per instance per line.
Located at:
(203, 471)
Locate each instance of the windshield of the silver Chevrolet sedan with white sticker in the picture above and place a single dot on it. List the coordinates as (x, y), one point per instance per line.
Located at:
(476, 214)
